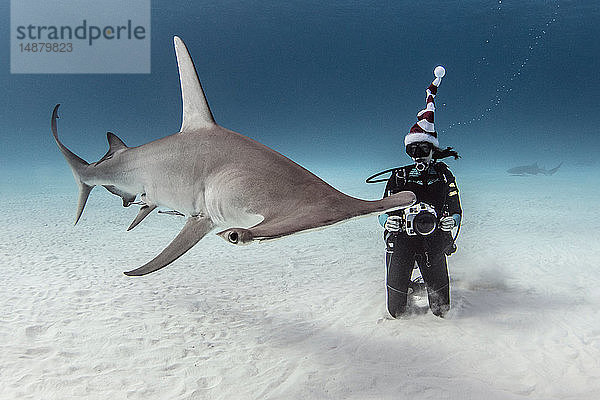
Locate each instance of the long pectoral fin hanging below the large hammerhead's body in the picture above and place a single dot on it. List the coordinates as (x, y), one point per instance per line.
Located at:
(195, 229)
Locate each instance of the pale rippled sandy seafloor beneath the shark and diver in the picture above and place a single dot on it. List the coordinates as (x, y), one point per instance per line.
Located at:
(302, 317)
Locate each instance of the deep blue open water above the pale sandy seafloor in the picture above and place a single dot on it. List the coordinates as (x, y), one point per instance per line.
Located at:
(336, 85)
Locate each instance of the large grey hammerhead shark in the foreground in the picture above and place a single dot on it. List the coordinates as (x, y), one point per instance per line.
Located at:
(216, 178)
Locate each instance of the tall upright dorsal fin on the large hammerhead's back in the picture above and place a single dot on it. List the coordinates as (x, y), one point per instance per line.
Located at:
(196, 112)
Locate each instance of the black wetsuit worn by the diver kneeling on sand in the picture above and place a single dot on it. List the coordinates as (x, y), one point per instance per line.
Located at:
(435, 186)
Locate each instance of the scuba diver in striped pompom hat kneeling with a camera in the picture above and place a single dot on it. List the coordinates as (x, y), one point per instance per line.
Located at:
(422, 233)
